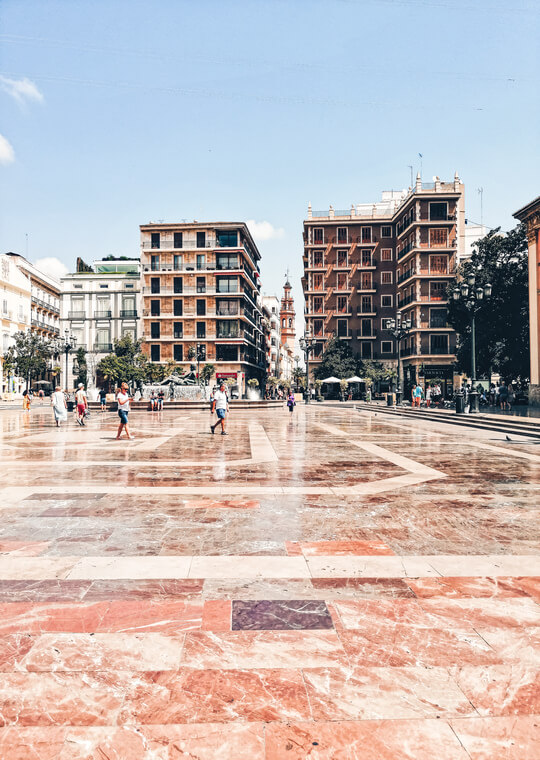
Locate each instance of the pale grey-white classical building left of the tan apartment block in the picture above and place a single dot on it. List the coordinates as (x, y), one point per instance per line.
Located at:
(98, 307)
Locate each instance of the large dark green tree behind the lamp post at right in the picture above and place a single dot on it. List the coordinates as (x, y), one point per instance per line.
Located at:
(502, 320)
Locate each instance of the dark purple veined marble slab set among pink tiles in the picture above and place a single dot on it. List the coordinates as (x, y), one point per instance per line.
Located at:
(265, 615)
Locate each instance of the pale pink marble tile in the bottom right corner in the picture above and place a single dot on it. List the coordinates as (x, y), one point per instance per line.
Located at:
(512, 738)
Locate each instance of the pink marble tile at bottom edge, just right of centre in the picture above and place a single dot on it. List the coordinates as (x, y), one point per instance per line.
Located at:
(365, 740)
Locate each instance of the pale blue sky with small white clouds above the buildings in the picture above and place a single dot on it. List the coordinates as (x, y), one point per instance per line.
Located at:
(118, 113)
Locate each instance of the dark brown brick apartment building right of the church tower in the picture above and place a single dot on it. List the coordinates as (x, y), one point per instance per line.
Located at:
(363, 265)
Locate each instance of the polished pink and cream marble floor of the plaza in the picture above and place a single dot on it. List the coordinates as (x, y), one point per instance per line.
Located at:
(331, 584)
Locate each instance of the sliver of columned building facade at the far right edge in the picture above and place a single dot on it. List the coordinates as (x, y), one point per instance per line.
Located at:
(530, 216)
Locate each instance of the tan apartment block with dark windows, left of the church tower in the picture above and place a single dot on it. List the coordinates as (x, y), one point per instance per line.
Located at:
(201, 295)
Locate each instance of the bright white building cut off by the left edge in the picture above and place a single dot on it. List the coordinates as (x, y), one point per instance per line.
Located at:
(15, 298)
